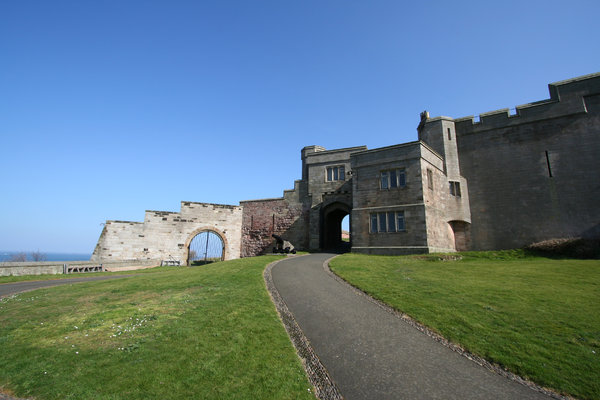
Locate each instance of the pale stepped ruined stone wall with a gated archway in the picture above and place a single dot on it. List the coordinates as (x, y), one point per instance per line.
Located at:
(166, 235)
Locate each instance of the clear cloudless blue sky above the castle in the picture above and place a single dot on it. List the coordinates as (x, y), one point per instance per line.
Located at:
(110, 108)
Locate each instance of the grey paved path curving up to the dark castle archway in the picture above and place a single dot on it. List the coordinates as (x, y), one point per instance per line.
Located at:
(371, 353)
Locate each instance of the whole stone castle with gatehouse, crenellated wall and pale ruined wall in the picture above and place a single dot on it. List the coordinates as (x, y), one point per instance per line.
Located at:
(503, 181)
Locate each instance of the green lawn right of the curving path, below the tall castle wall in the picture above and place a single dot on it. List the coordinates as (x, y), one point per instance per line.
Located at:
(538, 317)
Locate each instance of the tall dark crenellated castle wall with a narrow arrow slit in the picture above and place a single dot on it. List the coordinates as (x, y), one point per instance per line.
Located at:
(535, 174)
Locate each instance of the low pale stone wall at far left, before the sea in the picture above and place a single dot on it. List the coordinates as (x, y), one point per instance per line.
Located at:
(57, 267)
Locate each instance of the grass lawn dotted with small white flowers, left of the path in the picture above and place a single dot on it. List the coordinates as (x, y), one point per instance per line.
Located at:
(176, 333)
